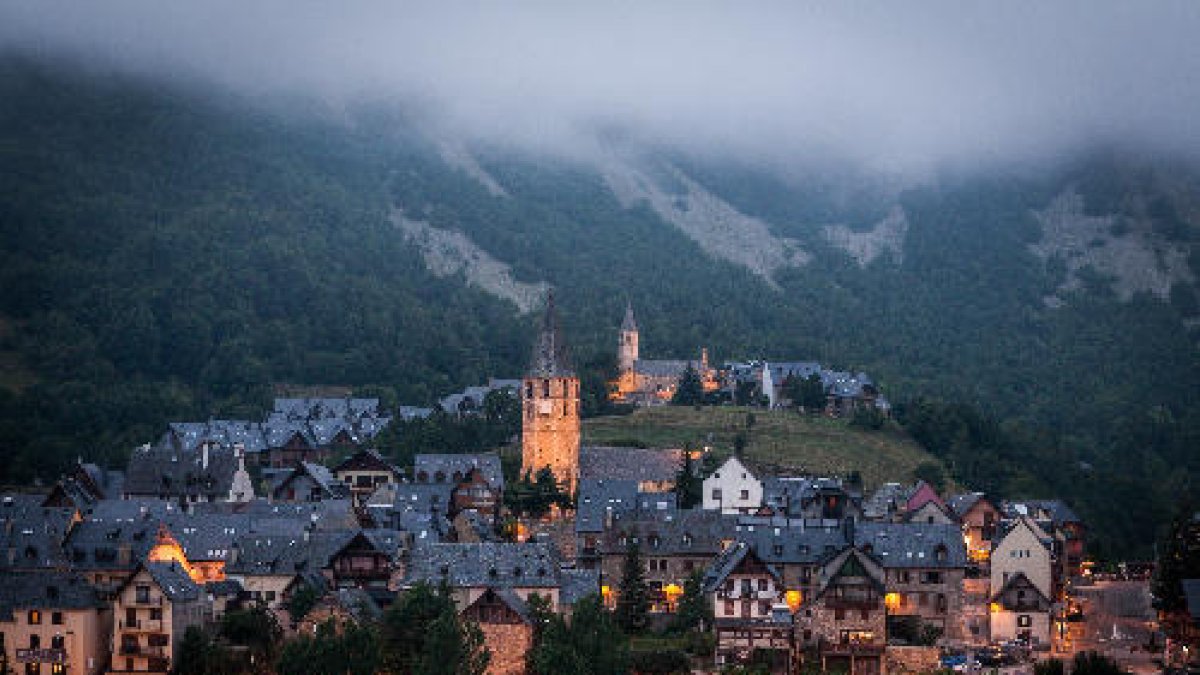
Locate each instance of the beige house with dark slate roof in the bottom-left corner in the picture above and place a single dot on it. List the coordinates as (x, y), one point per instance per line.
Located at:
(53, 623)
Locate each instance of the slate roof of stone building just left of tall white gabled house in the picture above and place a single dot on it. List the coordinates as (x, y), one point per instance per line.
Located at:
(913, 545)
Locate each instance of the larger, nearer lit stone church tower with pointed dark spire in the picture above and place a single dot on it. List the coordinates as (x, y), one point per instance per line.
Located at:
(550, 408)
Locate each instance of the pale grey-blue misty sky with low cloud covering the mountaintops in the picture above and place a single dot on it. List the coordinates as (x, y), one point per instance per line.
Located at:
(895, 83)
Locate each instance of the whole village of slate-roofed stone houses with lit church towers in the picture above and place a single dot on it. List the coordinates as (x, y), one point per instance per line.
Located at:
(110, 571)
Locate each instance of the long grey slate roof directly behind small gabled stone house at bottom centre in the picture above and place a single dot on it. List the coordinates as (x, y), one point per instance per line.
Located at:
(487, 565)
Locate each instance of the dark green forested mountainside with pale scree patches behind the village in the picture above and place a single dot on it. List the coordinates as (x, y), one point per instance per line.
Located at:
(175, 255)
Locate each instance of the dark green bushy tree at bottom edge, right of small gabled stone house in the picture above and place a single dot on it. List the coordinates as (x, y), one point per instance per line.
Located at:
(591, 644)
